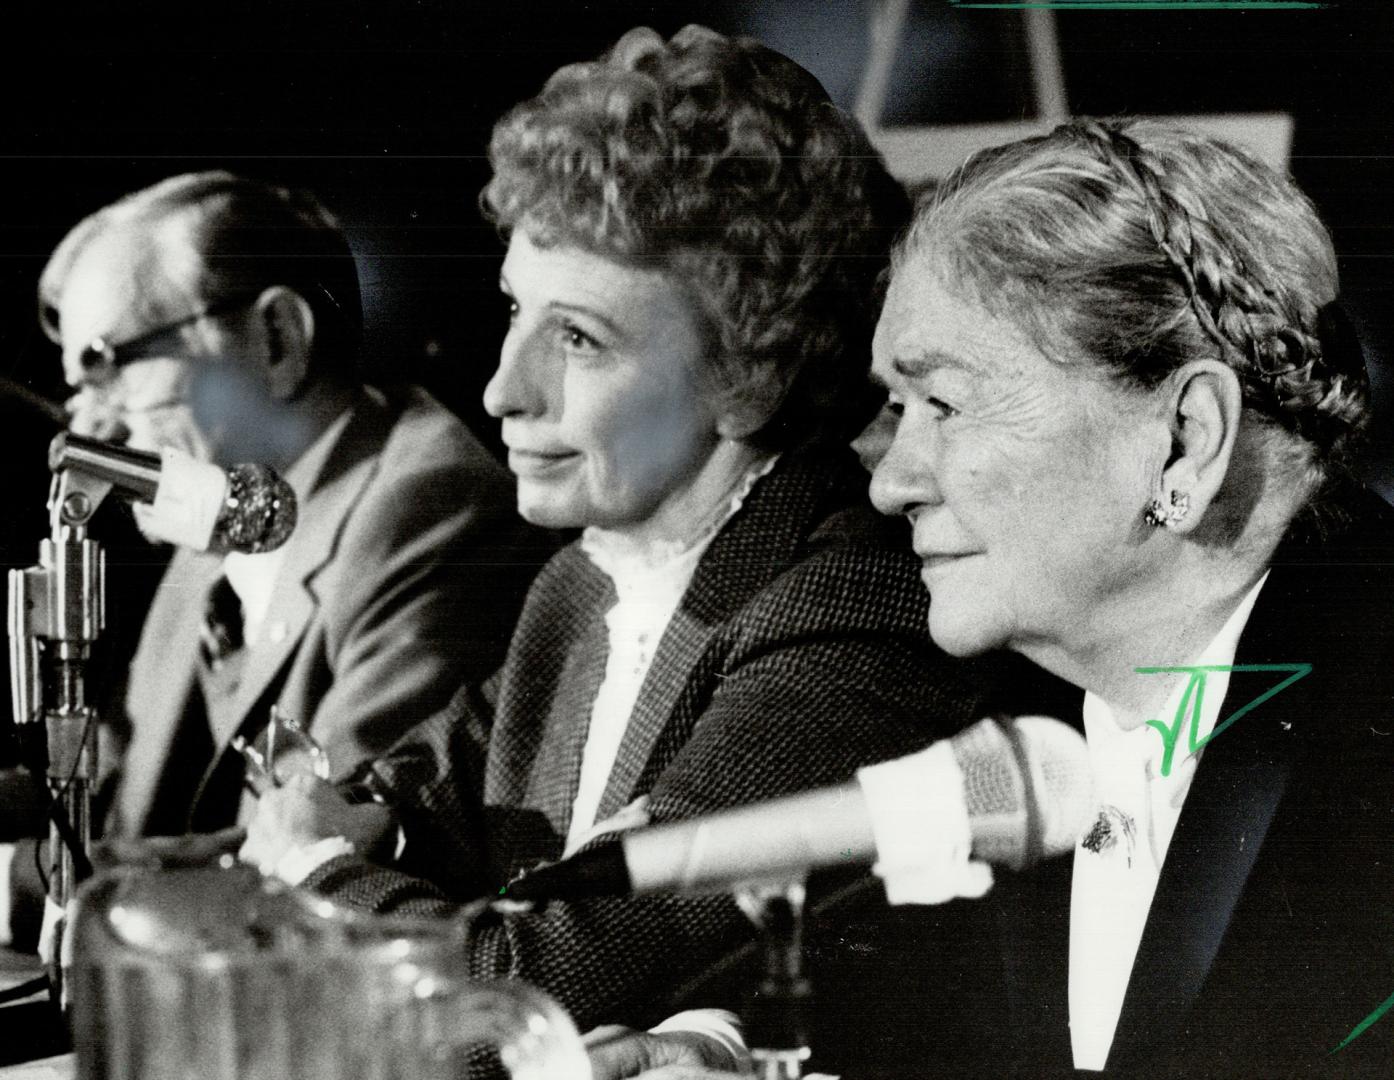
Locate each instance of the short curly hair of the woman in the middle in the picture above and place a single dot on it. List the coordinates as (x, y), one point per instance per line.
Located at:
(724, 164)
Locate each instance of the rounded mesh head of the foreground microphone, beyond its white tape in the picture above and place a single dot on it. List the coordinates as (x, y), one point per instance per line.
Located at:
(1028, 787)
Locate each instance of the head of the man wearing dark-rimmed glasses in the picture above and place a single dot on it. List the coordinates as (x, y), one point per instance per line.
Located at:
(210, 313)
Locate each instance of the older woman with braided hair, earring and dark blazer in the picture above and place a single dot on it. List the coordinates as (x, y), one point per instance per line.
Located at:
(1126, 405)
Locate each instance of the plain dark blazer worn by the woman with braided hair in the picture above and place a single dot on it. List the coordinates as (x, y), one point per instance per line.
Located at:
(1272, 933)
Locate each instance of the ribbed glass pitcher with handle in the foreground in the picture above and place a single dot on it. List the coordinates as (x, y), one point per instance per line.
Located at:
(214, 973)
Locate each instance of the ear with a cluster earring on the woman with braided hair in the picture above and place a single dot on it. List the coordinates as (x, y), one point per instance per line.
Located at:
(1204, 406)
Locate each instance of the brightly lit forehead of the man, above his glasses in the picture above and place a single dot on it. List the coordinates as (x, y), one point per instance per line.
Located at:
(125, 281)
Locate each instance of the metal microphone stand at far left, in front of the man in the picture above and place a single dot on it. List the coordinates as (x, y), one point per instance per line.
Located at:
(56, 614)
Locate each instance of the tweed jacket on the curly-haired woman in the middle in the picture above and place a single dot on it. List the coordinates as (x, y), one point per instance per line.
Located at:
(798, 654)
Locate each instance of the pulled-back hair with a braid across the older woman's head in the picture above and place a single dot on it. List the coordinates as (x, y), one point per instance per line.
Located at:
(1141, 246)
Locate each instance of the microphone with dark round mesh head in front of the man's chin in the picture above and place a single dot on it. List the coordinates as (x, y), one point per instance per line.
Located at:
(192, 504)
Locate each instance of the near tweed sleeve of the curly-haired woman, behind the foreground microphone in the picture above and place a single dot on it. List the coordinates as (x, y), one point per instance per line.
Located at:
(830, 672)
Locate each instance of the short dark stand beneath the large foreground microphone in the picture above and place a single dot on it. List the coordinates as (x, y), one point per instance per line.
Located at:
(779, 1012)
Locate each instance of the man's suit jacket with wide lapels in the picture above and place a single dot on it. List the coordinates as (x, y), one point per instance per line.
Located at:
(404, 578)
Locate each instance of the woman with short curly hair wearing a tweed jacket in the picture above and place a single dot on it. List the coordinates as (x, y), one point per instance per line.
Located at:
(695, 233)
